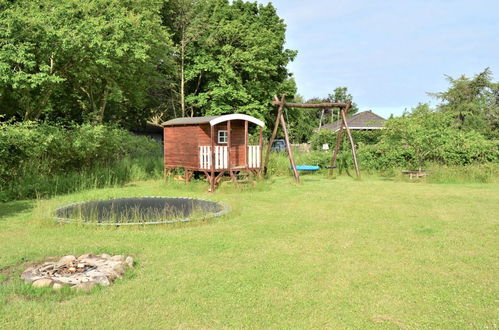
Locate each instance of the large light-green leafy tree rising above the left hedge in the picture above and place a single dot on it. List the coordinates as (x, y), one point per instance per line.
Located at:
(94, 60)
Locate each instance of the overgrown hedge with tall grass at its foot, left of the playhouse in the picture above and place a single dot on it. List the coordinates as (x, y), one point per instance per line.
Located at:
(43, 159)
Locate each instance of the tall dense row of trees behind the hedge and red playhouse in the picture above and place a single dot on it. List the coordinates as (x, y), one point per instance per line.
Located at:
(130, 61)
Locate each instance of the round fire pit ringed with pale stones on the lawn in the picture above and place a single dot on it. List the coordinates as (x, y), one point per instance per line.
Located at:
(80, 273)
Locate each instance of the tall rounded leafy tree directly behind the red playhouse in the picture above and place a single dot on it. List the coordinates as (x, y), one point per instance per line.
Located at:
(237, 60)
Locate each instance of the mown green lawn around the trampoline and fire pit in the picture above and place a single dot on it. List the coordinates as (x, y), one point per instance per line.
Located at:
(327, 253)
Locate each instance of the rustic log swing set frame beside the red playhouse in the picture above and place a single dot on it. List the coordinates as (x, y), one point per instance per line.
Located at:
(343, 109)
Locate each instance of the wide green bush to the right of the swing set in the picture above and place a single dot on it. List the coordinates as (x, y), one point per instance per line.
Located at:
(427, 138)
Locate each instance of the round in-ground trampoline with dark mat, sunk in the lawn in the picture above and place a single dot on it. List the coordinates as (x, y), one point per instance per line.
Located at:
(140, 211)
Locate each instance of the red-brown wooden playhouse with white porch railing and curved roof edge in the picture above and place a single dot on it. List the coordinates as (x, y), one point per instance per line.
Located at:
(213, 145)
